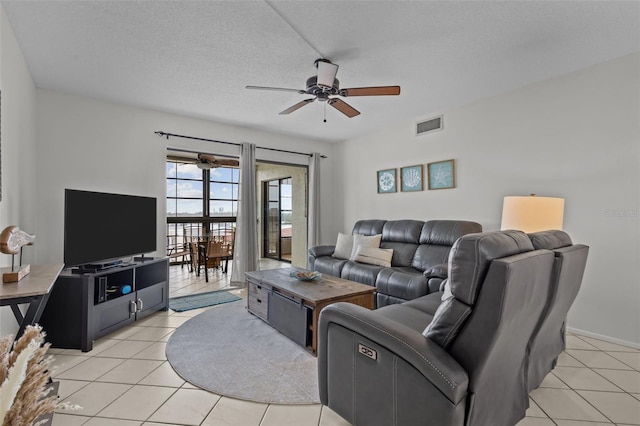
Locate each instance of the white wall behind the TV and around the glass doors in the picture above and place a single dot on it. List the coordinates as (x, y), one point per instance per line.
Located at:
(94, 145)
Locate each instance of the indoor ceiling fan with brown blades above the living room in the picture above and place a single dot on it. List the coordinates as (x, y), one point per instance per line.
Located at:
(325, 86)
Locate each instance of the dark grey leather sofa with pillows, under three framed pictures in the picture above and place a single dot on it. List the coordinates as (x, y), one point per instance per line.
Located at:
(419, 262)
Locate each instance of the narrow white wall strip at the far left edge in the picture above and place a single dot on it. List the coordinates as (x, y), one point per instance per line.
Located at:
(18, 205)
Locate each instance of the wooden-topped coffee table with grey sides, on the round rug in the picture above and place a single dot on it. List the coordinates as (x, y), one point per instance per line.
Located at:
(292, 306)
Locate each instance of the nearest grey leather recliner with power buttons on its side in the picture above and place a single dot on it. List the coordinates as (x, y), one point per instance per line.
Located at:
(465, 364)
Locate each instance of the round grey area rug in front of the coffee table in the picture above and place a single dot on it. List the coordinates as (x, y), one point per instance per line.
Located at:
(230, 352)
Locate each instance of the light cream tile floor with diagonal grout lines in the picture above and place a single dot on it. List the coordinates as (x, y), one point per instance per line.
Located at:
(126, 381)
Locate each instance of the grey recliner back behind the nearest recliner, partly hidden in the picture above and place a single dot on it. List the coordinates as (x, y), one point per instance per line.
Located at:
(549, 338)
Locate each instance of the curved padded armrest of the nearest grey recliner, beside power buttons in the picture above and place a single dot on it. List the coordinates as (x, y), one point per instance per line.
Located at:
(433, 362)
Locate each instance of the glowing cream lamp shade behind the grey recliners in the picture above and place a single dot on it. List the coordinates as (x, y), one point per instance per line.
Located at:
(532, 213)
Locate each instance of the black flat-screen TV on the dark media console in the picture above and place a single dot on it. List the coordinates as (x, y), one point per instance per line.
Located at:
(101, 227)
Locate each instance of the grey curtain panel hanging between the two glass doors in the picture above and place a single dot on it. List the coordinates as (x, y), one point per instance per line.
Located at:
(245, 256)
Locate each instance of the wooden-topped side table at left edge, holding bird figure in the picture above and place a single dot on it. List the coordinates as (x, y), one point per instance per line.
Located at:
(33, 289)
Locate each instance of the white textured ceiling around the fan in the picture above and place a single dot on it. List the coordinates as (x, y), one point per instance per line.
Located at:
(196, 57)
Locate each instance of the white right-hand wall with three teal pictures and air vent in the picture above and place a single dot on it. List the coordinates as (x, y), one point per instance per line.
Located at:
(576, 136)
